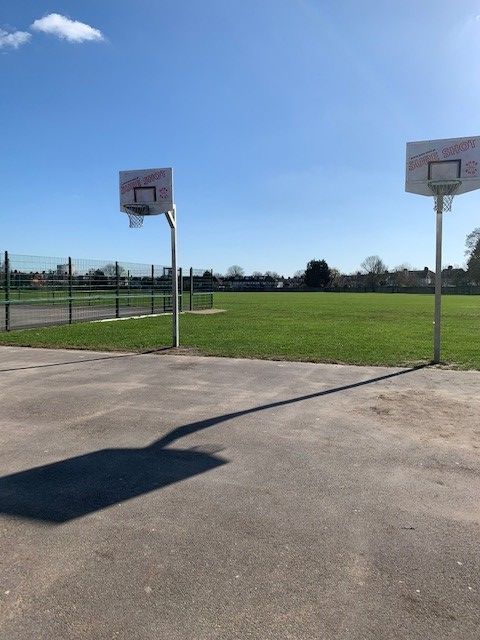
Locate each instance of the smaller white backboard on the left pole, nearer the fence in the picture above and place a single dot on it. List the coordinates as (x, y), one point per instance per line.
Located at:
(147, 186)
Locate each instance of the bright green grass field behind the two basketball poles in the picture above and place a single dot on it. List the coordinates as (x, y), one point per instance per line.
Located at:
(388, 329)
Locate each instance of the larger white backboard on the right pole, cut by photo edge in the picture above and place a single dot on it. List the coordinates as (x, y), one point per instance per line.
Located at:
(448, 159)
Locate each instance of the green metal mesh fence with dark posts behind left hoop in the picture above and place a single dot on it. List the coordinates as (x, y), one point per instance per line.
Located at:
(40, 291)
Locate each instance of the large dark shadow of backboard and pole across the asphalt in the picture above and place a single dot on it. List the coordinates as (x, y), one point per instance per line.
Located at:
(71, 488)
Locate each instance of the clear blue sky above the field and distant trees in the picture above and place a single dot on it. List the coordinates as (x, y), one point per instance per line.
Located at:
(285, 122)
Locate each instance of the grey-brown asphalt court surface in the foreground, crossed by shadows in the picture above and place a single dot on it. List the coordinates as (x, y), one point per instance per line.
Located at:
(168, 496)
